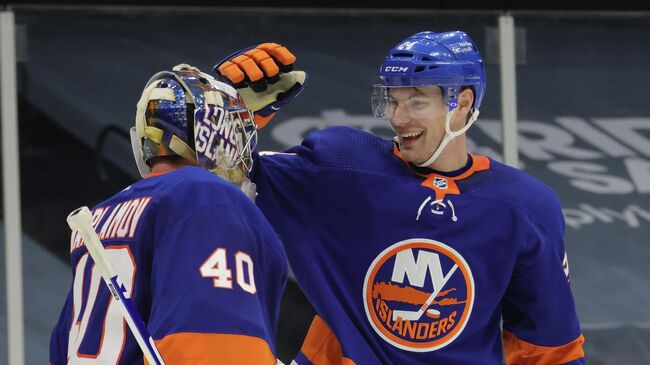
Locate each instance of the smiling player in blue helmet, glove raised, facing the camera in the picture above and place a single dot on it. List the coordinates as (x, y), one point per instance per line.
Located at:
(415, 251)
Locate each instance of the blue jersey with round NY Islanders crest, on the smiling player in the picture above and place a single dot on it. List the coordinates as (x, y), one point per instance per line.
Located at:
(406, 265)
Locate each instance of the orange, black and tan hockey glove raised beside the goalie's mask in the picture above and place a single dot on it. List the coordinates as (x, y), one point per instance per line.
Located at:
(264, 77)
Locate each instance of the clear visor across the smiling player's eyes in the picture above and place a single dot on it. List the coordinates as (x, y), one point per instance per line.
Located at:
(412, 102)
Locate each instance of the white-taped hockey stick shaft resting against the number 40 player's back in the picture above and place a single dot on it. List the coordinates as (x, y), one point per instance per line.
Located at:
(80, 220)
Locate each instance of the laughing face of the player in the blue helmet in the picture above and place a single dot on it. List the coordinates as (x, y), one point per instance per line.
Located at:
(418, 119)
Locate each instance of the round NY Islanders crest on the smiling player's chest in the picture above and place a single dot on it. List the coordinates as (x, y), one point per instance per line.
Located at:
(418, 295)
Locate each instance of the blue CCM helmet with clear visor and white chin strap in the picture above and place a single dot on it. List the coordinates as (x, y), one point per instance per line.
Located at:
(447, 61)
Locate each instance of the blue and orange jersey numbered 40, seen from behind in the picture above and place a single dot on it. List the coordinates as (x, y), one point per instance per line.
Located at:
(202, 265)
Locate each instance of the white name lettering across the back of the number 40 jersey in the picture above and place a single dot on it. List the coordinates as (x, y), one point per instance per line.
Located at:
(121, 222)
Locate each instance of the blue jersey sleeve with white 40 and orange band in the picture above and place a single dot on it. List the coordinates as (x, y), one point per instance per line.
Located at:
(209, 290)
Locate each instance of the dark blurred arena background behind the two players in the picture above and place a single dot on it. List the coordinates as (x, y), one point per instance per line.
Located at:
(582, 112)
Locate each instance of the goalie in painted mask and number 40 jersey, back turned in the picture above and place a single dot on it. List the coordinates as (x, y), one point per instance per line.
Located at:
(203, 266)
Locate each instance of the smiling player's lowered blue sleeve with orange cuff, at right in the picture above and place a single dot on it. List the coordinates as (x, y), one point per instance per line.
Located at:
(540, 324)
